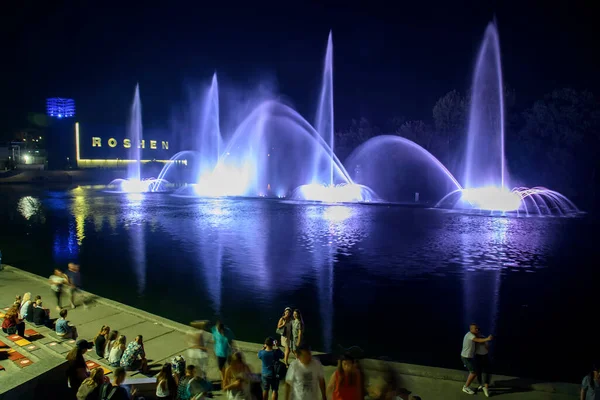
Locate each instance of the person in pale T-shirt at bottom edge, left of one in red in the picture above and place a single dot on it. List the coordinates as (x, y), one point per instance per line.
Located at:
(305, 377)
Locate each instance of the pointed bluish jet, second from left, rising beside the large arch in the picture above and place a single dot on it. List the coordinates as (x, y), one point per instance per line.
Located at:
(207, 132)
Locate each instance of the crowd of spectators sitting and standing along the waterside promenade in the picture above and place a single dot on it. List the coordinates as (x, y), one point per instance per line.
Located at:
(185, 378)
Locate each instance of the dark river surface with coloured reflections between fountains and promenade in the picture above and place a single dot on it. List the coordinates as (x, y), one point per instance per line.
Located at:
(398, 282)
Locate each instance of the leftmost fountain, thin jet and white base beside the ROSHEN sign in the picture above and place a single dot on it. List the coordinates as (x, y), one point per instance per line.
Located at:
(134, 182)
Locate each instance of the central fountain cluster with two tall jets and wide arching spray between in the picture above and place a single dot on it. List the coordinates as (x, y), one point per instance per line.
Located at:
(273, 152)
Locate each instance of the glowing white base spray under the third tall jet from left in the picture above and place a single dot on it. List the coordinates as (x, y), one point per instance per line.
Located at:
(342, 193)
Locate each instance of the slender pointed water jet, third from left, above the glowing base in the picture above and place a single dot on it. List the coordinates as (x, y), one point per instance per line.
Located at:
(324, 118)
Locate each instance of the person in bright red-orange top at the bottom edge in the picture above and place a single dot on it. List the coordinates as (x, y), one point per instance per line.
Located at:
(346, 381)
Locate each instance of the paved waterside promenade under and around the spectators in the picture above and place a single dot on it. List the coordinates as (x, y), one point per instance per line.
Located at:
(165, 339)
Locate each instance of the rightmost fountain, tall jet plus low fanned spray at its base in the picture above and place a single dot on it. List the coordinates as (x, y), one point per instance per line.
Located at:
(486, 176)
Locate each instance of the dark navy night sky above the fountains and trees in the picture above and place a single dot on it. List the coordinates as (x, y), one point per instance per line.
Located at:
(388, 60)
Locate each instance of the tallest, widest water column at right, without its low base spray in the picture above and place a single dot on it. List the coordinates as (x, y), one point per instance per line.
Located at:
(484, 162)
